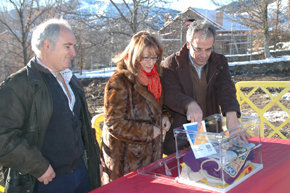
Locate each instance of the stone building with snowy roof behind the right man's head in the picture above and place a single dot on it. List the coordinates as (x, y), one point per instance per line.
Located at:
(232, 38)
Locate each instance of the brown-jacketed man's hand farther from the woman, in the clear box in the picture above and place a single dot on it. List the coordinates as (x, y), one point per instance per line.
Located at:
(233, 121)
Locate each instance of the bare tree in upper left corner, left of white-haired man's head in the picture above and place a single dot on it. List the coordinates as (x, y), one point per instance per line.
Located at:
(19, 17)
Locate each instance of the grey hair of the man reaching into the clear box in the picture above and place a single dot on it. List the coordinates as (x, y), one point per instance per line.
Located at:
(207, 29)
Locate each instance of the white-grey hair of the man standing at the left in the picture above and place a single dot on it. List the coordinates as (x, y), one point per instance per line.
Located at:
(49, 30)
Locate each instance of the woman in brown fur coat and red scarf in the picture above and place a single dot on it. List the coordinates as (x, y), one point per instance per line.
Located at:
(134, 122)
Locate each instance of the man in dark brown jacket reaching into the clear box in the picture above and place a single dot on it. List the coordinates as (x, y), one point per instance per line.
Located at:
(197, 82)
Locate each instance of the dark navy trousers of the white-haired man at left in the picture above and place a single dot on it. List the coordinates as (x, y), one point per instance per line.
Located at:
(76, 182)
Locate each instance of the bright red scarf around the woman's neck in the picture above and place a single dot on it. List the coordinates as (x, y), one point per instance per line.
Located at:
(152, 81)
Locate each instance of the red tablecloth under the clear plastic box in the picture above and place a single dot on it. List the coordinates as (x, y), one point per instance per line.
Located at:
(273, 178)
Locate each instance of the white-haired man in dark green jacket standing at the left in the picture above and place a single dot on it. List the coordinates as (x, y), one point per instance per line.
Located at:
(46, 142)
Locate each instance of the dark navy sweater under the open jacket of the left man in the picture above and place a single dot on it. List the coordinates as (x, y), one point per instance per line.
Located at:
(63, 145)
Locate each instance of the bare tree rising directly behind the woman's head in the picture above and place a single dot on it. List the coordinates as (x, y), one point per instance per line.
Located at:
(129, 17)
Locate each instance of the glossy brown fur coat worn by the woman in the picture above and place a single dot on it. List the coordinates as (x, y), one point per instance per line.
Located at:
(131, 111)
